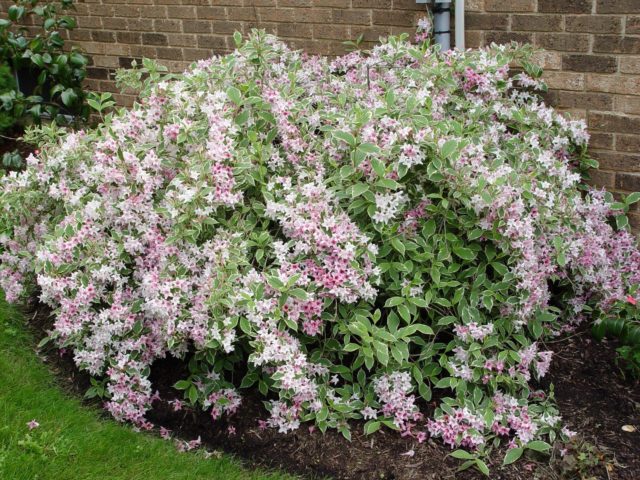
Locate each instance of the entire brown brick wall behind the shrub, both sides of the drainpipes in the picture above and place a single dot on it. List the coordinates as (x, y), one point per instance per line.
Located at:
(592, 48)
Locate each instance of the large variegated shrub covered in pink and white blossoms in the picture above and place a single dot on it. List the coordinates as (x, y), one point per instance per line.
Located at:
(353, 237)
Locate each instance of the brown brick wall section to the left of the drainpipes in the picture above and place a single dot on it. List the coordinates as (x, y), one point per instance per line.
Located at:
(177, 32)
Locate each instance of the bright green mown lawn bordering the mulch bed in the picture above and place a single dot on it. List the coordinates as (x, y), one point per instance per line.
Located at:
(73, 442)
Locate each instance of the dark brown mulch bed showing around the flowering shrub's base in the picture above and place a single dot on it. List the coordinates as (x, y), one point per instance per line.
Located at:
(593, 398)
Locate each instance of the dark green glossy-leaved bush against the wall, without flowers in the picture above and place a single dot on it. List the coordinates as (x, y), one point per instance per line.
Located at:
(55, 73)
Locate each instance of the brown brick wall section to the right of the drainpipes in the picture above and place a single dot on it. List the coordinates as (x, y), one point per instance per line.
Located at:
(592, 63)
